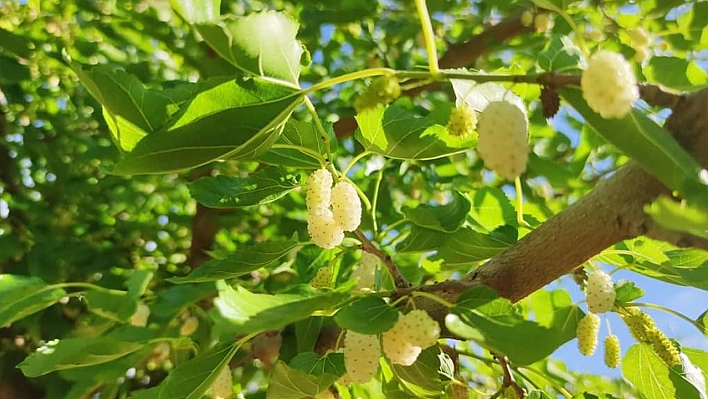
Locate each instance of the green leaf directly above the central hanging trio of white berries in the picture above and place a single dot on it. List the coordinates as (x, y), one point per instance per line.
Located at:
(298, 144)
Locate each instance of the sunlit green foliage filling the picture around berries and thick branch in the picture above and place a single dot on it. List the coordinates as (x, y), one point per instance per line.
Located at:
(145, 250)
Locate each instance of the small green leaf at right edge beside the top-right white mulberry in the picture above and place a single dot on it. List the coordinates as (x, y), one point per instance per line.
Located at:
(676, 73)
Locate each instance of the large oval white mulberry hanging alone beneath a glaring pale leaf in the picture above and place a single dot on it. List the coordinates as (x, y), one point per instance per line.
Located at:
(503, 142)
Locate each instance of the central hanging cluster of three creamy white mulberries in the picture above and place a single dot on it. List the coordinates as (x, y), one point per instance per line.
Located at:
(327, 226)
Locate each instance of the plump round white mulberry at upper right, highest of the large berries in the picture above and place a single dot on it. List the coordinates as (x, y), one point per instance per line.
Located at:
(609, 85)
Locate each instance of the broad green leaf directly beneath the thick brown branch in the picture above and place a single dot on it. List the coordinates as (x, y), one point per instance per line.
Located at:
(496, 324)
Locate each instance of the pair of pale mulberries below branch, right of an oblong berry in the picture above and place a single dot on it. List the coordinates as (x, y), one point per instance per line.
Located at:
(412, 333)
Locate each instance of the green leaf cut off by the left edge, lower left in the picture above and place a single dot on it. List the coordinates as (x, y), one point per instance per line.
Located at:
(23, 296)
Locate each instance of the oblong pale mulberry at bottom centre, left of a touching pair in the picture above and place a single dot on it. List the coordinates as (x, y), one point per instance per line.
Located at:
(361, 356)
